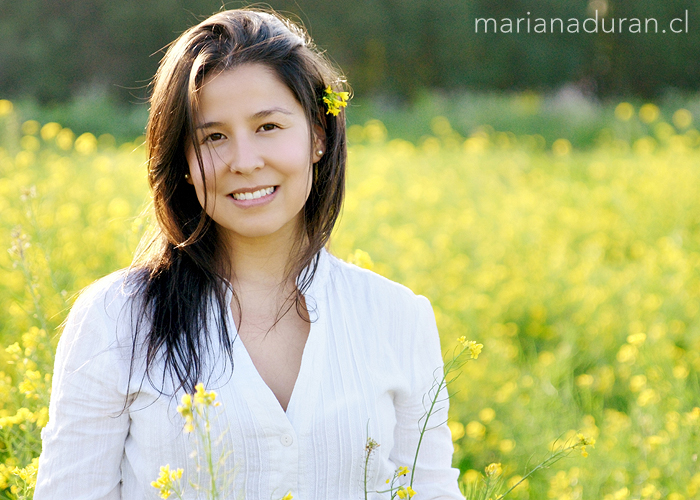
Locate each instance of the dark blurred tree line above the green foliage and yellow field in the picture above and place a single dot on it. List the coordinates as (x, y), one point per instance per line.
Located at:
(53, 49)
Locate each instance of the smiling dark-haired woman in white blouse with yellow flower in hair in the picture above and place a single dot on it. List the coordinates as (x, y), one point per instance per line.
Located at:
(309, 356)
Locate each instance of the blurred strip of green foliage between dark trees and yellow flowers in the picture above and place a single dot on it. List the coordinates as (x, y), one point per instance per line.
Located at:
(565, 114)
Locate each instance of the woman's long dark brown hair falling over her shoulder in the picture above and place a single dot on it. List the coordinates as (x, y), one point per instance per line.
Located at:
(179, 270)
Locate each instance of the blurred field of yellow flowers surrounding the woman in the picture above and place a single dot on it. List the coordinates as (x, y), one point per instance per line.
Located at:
(579, 271)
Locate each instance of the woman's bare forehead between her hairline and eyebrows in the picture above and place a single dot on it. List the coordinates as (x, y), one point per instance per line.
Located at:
(245, 89)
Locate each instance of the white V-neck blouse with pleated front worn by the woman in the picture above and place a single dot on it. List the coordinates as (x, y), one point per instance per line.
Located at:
(371, 358)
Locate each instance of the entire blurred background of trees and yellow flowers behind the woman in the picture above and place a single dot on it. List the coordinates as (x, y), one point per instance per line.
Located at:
(540, 188)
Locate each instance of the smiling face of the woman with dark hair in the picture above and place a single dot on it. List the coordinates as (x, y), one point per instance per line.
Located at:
(256, 151)
